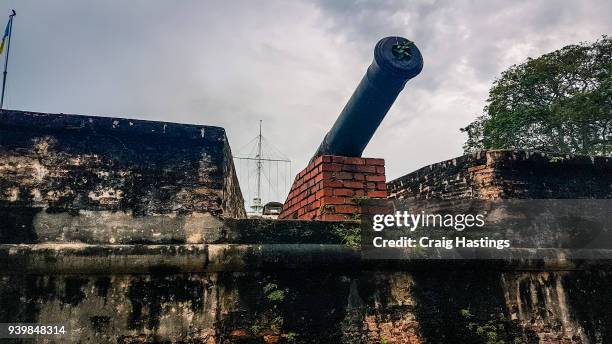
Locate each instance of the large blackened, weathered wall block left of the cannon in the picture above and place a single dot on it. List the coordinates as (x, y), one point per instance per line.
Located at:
(59, 173)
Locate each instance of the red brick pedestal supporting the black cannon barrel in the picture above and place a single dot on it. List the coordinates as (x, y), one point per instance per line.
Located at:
(331, 187)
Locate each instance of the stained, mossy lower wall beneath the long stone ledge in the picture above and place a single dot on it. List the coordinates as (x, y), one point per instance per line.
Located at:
(318, 306)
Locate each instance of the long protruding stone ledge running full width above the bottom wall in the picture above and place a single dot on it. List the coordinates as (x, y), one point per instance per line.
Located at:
(65, 258)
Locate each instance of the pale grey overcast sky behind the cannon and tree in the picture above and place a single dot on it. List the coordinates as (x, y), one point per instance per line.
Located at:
(292, 64)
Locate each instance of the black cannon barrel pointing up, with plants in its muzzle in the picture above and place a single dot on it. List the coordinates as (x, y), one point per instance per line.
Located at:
(396, 60)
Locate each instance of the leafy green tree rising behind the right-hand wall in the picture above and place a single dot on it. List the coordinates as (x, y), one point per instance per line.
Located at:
(560, 102)
